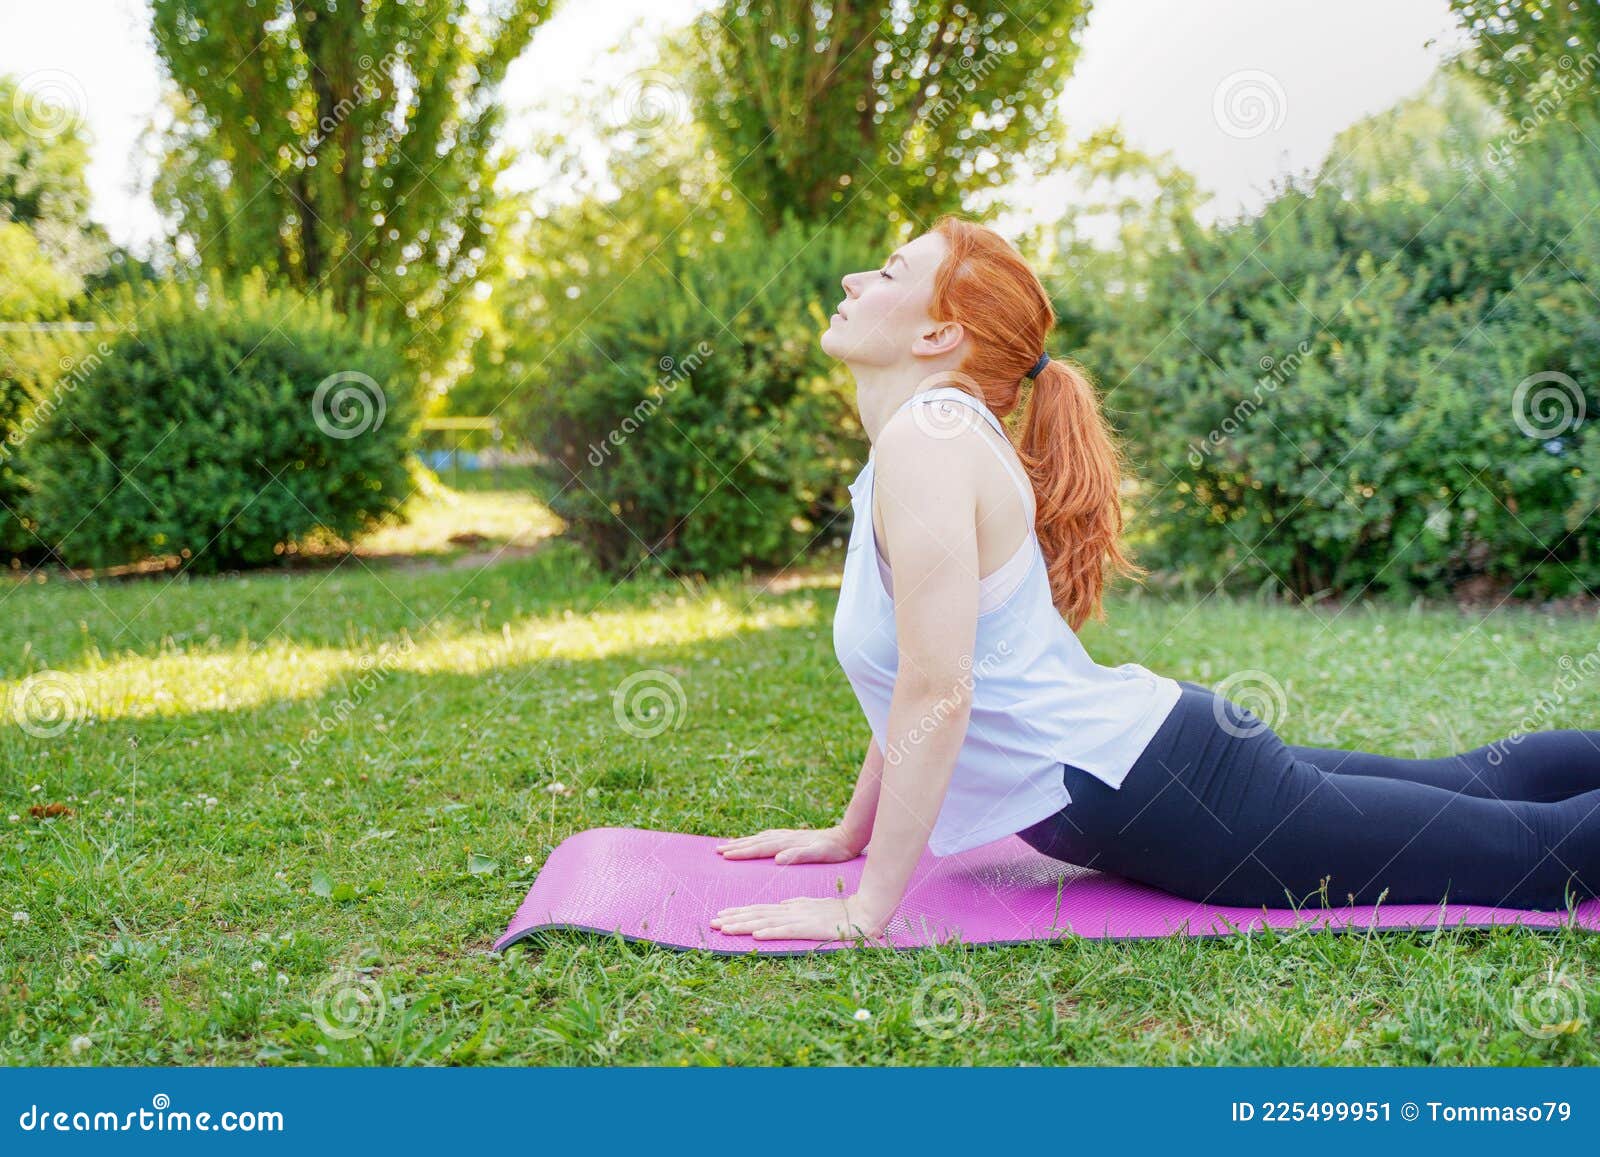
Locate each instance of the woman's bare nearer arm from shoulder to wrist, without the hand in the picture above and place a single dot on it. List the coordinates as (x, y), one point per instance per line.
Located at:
(929, 502)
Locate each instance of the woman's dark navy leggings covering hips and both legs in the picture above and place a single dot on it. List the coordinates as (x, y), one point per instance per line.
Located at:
(1220, 811)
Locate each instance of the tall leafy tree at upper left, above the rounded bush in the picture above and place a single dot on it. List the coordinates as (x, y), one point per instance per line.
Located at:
(345, 146)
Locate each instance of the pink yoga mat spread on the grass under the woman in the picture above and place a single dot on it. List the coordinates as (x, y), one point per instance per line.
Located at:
(665, 887)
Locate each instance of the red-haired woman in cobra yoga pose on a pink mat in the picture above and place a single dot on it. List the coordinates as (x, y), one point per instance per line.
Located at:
(988, 718)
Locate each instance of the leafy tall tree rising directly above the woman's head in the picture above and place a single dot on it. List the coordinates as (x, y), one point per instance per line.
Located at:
(886, 113)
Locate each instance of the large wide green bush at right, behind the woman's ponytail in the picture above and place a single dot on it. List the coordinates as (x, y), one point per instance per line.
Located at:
(1375, 391)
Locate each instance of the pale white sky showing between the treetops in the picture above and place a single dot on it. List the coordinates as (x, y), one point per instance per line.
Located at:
(1241, 92)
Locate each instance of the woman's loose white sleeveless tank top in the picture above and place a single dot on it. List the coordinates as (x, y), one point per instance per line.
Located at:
(1039, 700)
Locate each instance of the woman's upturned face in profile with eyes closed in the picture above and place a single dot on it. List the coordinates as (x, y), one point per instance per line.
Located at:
(884, 319)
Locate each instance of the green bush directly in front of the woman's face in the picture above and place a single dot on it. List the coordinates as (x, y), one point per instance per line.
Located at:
(682, 401)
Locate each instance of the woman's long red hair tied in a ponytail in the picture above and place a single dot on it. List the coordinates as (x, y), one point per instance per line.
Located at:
(1068, 447)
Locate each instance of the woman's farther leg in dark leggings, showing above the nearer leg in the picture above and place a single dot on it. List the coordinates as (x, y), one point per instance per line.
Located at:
(1538, 766)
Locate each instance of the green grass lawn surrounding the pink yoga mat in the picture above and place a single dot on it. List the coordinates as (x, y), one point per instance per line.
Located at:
(338, 782)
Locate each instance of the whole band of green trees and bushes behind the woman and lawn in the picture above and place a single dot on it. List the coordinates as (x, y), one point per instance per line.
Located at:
(1326, 398)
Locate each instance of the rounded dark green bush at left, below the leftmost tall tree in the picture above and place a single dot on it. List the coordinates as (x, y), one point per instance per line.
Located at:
(225, 426)
